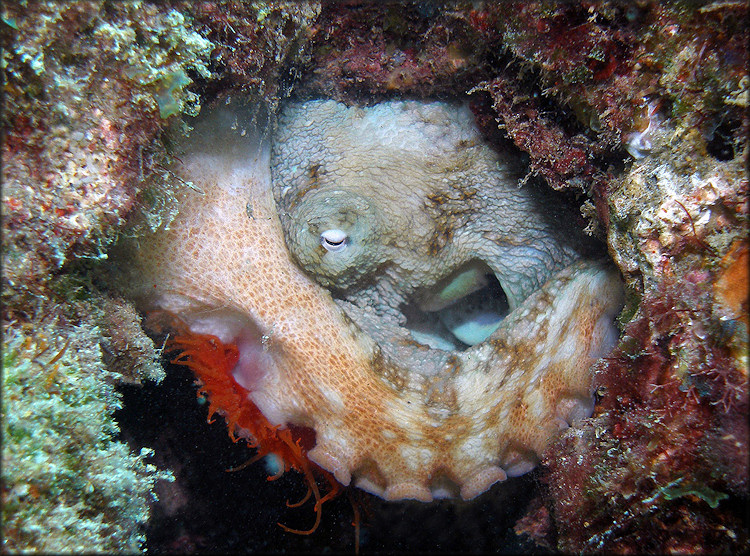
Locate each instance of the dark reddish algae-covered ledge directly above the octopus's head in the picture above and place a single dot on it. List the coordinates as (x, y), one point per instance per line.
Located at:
(370, 50)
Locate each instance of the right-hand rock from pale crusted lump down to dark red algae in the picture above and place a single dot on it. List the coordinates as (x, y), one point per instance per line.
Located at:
(678, 232)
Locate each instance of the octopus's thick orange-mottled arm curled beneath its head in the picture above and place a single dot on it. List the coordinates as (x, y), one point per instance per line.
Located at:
(223, 267)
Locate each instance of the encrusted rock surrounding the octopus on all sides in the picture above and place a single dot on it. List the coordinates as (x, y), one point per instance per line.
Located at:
(637, 113)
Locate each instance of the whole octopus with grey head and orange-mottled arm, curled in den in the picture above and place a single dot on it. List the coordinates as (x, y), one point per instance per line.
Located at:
(388, 285)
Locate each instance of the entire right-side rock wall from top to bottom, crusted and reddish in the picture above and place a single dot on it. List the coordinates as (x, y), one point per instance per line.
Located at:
(662, 465)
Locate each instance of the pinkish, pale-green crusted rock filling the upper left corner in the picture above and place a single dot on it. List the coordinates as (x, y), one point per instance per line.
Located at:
(85, 102)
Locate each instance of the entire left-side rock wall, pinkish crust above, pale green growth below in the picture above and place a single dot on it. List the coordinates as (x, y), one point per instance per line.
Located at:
(81, 121)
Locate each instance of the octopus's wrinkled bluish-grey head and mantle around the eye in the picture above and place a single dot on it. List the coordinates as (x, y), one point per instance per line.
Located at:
(421, 197)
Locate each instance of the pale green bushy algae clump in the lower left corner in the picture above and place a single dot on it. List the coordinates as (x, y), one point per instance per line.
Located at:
(68, 484)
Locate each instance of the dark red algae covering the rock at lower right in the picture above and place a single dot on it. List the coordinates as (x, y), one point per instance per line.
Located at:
(668, 439)
